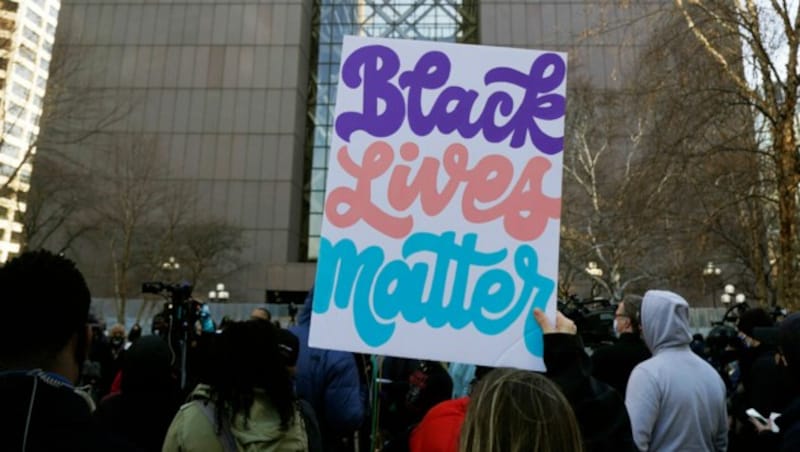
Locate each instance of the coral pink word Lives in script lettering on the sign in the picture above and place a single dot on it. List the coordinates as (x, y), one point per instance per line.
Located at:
(525, 211)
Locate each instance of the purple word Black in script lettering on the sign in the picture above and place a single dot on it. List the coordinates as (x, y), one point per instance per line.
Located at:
(374, 69)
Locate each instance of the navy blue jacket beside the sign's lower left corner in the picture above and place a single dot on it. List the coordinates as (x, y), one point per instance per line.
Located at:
(329, 380)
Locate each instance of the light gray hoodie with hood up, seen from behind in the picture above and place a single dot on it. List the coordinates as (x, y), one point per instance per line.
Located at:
(676, 401)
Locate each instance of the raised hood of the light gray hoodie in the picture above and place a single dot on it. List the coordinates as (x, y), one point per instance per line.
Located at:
(665, 320)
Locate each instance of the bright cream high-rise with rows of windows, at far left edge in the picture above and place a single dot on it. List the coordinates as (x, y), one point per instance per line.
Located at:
(27, 33)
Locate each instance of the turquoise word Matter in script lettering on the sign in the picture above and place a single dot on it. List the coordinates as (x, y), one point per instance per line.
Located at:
(381, 292)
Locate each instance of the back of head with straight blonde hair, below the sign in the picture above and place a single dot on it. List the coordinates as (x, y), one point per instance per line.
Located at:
(516, 410)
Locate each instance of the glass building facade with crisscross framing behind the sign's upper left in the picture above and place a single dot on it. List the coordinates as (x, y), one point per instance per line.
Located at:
(439, 20)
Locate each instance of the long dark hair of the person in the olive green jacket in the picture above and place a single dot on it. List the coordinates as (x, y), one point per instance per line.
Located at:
(238, 372)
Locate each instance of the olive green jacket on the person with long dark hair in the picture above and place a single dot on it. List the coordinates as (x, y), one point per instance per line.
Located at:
(192, 431)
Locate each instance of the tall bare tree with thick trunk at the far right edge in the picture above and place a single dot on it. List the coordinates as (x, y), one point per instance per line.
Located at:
(769, 34)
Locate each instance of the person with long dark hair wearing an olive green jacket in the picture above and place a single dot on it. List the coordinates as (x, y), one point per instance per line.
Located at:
(248, 403)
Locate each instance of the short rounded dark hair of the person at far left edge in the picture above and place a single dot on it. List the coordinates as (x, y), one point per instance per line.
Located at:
(47, 290)
